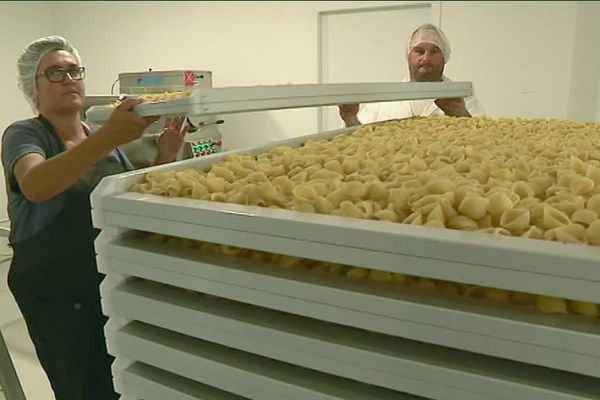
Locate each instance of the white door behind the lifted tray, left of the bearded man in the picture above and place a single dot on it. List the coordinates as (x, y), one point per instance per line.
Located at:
(367, 45)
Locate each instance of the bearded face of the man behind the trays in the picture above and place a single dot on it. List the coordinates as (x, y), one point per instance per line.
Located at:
(426, 63)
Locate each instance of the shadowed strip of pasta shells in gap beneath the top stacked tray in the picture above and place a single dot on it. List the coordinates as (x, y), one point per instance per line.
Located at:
(545, 304)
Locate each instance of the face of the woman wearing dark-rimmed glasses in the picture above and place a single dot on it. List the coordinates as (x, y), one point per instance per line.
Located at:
(59, 97)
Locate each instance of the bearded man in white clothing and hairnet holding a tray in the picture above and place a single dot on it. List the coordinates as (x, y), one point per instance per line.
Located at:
(427, 53)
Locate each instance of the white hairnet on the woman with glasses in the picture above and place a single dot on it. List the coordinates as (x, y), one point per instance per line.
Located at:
(29, 61)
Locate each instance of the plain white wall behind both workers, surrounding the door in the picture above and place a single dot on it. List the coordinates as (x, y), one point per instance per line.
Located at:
(522, 56)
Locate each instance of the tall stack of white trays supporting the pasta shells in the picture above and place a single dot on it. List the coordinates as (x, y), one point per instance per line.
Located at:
(191, 323)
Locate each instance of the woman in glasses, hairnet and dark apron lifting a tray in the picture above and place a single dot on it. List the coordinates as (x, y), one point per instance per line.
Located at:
(51, 165)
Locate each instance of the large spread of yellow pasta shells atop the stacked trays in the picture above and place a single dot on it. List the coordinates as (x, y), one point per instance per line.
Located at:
(537, 179)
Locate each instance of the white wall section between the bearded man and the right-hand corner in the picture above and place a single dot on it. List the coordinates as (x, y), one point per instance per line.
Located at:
(518, 54)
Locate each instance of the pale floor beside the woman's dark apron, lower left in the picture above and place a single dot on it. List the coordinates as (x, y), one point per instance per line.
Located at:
(32, 377)
